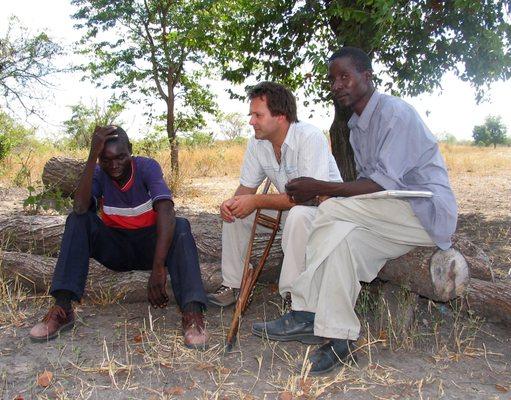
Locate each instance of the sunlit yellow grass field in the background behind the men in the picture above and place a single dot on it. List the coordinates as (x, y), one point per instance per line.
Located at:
(223, 159)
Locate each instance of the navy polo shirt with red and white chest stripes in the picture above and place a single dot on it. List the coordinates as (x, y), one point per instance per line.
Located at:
(130, 206)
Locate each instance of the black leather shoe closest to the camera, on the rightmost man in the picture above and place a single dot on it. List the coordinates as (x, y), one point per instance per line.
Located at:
(331, 355)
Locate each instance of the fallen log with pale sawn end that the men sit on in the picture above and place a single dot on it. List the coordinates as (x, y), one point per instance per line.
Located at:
(40, 234)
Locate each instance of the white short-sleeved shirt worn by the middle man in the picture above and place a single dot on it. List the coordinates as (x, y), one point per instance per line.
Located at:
(305, 152)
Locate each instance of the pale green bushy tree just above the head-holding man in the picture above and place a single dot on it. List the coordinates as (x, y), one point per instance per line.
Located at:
(85, 118)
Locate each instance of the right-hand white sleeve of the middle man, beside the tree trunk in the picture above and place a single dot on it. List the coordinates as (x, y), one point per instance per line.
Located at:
(314, 157)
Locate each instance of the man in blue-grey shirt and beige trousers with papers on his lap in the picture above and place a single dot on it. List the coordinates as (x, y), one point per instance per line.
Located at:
(351, 239)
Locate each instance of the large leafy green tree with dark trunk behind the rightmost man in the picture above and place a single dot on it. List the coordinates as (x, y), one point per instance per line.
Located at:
(412, 42)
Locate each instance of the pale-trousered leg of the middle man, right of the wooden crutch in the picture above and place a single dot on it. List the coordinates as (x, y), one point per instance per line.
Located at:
(295, 235)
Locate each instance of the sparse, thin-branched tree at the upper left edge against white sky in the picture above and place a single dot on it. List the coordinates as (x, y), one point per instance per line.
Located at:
(26, 63)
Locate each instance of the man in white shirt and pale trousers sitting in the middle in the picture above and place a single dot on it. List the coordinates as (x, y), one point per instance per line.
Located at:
(282, 149)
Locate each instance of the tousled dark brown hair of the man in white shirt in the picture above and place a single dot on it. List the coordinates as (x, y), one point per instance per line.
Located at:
(279, 99)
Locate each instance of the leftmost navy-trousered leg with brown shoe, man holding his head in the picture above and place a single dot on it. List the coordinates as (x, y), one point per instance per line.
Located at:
(84, 236)
